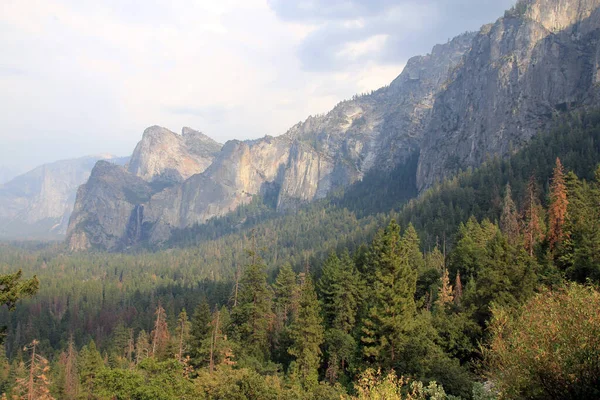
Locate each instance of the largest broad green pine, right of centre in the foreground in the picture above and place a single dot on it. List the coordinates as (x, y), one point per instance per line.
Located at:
(391, 317)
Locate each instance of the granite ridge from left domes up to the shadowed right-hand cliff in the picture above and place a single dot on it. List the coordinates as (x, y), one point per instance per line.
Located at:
(375, 131)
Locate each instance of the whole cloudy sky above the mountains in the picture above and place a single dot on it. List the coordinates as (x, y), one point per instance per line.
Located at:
(82, 77)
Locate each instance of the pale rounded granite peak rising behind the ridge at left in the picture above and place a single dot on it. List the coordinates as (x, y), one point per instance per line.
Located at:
(167, 157)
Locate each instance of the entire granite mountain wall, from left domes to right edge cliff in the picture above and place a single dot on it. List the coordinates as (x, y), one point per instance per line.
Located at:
(481, 94)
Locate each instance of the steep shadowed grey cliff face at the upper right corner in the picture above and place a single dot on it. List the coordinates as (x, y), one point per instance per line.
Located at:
(540, 59)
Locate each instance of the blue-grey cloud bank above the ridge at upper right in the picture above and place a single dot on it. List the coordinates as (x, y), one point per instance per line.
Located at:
(409, 27)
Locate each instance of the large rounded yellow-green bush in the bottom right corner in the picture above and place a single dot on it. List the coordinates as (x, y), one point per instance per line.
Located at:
(549, 348)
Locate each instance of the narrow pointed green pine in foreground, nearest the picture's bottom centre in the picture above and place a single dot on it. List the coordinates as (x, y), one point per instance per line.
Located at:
(307, 335)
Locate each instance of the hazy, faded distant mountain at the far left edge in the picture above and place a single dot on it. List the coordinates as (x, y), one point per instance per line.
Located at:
(38, 203)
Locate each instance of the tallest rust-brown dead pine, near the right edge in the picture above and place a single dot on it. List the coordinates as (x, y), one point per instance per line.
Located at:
(557, 212)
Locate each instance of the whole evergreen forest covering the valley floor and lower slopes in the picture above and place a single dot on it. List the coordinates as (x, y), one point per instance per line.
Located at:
(483, 287)
